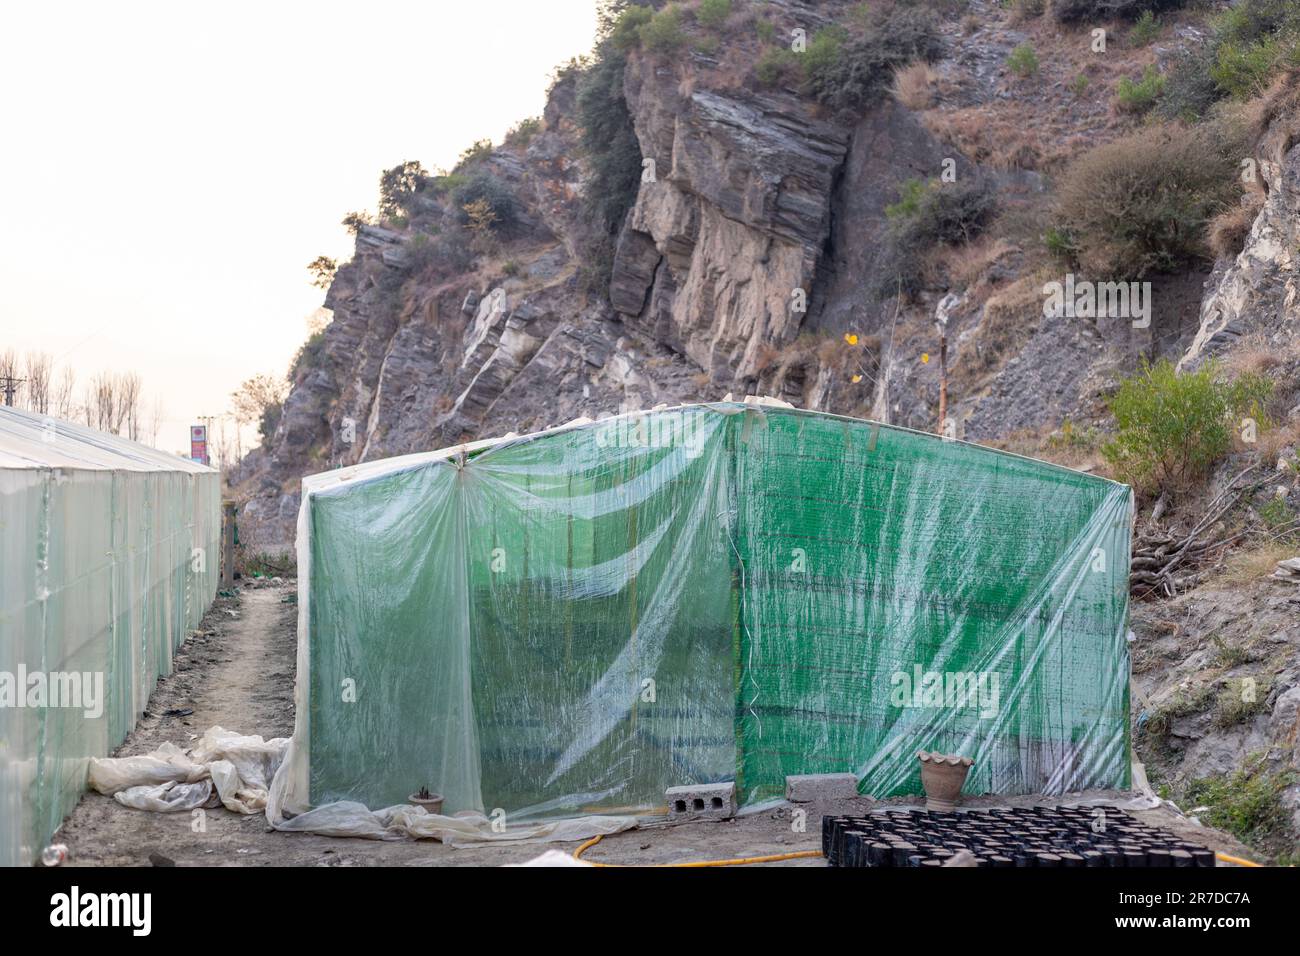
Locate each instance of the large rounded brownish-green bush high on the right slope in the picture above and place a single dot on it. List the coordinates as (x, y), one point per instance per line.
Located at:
(1142, 204)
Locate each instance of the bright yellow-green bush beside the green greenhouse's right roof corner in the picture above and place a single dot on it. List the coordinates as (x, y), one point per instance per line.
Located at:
(1172, 429)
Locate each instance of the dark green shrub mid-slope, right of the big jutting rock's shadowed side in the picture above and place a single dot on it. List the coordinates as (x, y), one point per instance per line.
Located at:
(926, 215)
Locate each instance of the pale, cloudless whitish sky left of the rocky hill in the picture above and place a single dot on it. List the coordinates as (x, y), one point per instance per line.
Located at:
(168, 170)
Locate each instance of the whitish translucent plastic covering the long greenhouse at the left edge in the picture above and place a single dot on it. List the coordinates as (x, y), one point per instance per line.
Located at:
(109, 557)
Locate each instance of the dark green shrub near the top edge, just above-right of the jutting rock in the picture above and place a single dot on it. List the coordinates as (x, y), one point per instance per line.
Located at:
(848, 72)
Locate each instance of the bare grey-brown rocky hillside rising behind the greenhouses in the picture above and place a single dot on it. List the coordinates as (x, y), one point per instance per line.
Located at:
(755, 245)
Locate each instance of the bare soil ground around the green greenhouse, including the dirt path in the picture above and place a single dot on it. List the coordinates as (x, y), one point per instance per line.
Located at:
(237, 672)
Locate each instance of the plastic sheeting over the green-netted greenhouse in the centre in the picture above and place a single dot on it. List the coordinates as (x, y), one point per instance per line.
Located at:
(575, 621)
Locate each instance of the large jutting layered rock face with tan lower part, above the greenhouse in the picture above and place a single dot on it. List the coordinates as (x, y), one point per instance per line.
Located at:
(721, 250)
